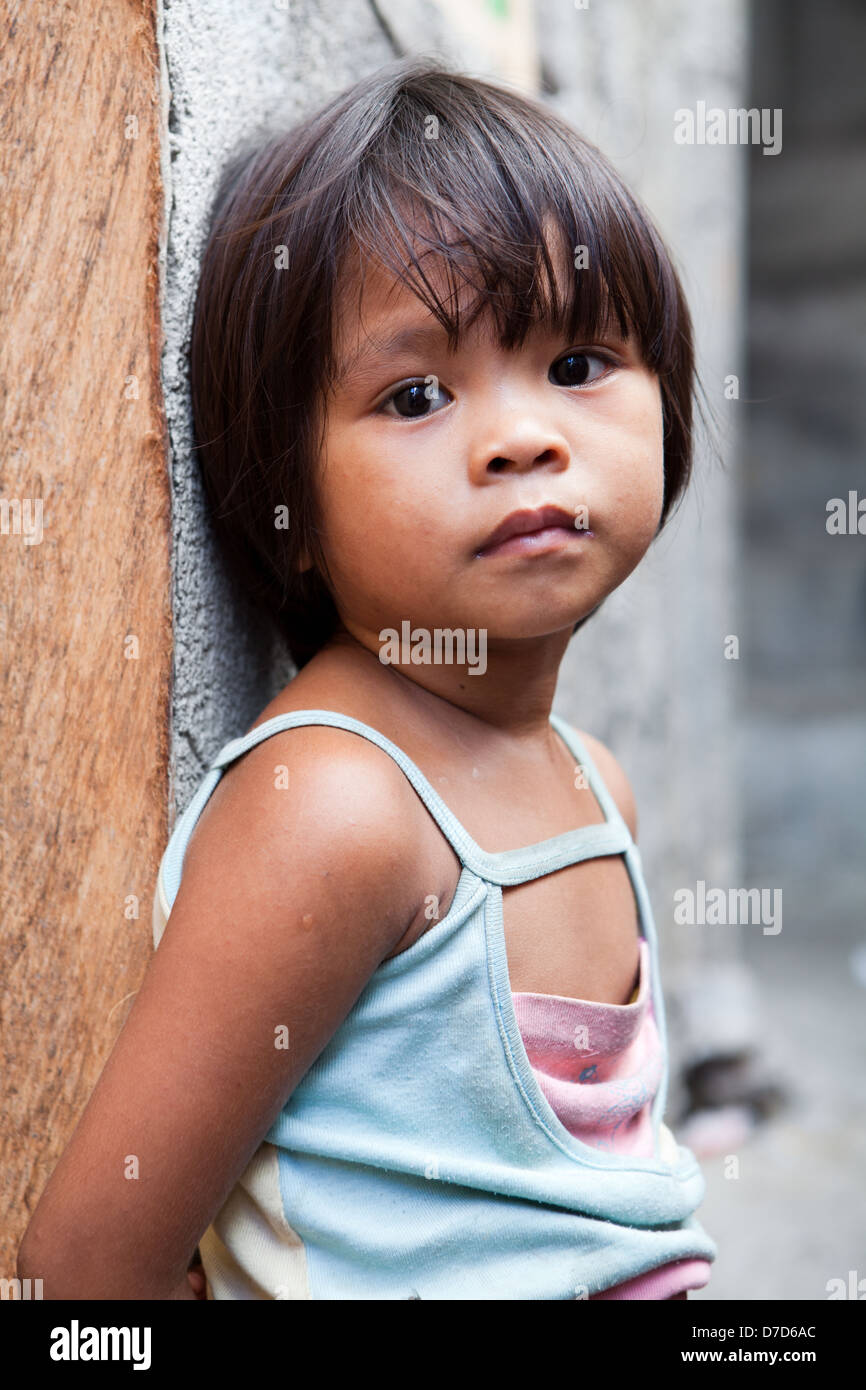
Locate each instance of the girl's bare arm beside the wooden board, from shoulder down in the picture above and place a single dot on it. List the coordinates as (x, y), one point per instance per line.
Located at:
(290, 901)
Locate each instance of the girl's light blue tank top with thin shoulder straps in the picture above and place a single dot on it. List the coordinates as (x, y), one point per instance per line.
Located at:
(419, 1157)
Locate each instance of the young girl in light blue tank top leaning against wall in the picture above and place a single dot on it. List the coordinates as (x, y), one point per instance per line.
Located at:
(404, 1035)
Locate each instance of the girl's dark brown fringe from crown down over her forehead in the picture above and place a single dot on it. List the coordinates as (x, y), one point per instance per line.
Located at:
(523, 215)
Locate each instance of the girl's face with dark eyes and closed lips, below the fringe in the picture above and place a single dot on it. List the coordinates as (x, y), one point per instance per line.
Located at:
(418, 473)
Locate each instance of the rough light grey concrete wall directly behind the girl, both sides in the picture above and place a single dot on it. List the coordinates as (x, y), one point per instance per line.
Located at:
(648, 675)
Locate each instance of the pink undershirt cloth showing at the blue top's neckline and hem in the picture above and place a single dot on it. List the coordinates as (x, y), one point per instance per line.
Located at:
(600, 1067)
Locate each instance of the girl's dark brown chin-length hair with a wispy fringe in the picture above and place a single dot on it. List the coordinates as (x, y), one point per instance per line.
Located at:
(414, 156)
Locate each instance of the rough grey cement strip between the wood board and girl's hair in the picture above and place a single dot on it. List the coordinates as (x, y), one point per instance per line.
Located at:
(230, 69)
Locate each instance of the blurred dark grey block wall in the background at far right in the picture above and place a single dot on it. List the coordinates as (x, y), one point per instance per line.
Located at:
(806, 443)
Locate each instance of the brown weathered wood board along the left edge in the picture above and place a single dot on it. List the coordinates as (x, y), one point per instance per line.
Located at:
(85, 619)
